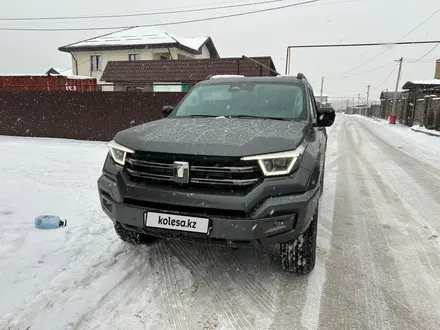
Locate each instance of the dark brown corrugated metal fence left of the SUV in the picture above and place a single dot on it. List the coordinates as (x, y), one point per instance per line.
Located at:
(83, 115)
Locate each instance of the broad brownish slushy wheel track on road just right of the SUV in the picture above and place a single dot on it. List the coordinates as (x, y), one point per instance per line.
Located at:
(349, 264)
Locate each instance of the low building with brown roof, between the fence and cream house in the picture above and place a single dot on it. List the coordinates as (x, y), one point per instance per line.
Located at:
(180, 75)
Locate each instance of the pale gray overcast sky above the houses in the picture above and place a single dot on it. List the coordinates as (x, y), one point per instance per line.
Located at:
(328, 21)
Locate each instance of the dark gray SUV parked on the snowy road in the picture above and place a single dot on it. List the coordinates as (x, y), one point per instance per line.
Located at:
(239, 161)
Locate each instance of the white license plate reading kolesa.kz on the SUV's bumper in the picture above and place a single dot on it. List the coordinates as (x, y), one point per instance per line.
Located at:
(176, 222)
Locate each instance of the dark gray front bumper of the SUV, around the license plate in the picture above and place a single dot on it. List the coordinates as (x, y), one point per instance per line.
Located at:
(273, 220)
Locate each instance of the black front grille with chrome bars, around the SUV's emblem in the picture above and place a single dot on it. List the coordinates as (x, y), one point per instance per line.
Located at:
(203, 171)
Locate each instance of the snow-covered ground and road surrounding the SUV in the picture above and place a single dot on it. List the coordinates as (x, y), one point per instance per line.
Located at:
(378, 260)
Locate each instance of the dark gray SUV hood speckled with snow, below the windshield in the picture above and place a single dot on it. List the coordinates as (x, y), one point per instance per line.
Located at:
(232, 137)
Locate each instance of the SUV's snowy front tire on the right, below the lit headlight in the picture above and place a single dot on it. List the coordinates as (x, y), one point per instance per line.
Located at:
(299, 255)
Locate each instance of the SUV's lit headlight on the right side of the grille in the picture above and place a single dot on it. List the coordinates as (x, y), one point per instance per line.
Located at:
(280, 163)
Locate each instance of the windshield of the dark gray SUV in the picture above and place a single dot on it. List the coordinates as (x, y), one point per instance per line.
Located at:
(263, 100)
